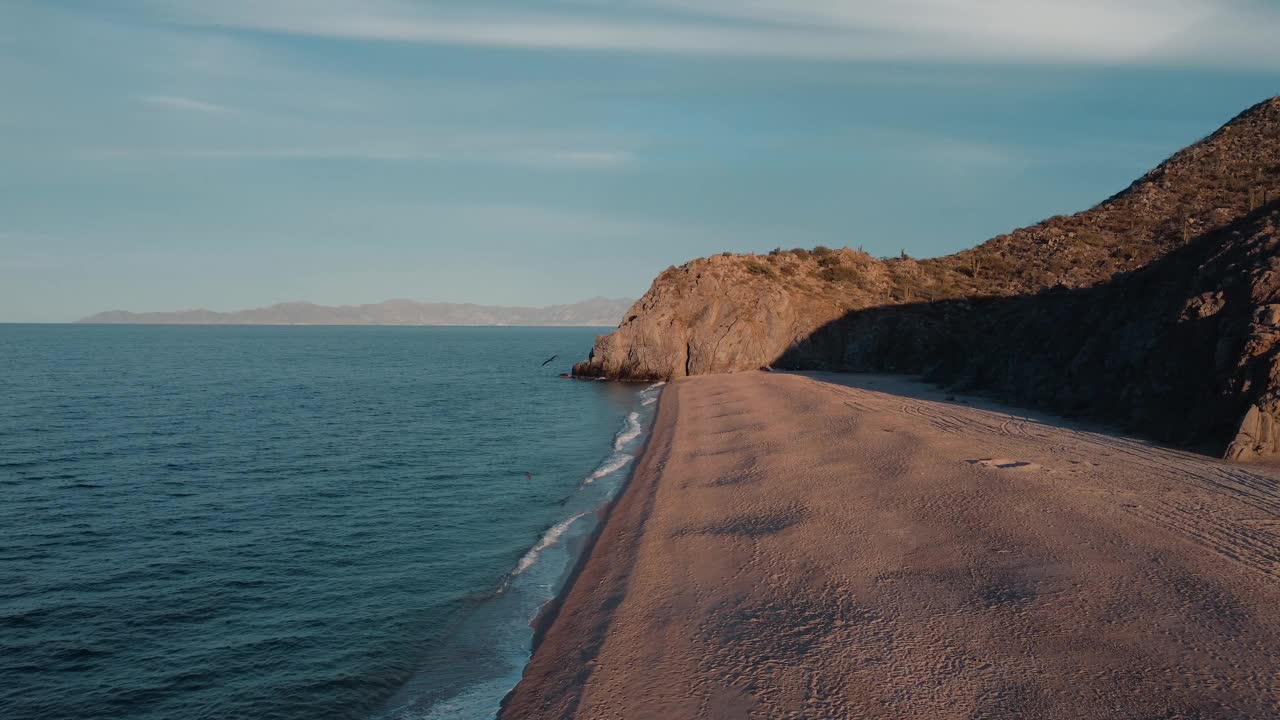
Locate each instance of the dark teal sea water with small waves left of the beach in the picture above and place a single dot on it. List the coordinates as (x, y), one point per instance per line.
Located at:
(291, 523)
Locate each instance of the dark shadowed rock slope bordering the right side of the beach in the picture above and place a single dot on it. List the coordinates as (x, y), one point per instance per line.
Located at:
(1186, 350)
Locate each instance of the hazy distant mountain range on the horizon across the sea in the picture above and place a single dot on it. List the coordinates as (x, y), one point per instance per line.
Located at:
(596, 312)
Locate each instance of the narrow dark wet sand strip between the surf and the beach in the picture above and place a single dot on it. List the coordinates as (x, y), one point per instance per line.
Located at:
(587, 614)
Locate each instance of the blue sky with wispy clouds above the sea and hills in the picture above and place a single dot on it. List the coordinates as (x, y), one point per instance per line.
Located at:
(172, 154)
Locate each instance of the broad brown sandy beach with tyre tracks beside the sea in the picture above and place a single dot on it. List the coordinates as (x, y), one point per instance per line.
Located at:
(858, 546)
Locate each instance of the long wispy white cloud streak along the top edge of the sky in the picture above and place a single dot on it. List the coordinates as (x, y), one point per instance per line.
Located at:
(1208, 33)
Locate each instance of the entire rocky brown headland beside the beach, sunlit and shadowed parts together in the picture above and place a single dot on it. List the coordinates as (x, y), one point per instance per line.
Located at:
(1144, 307)
